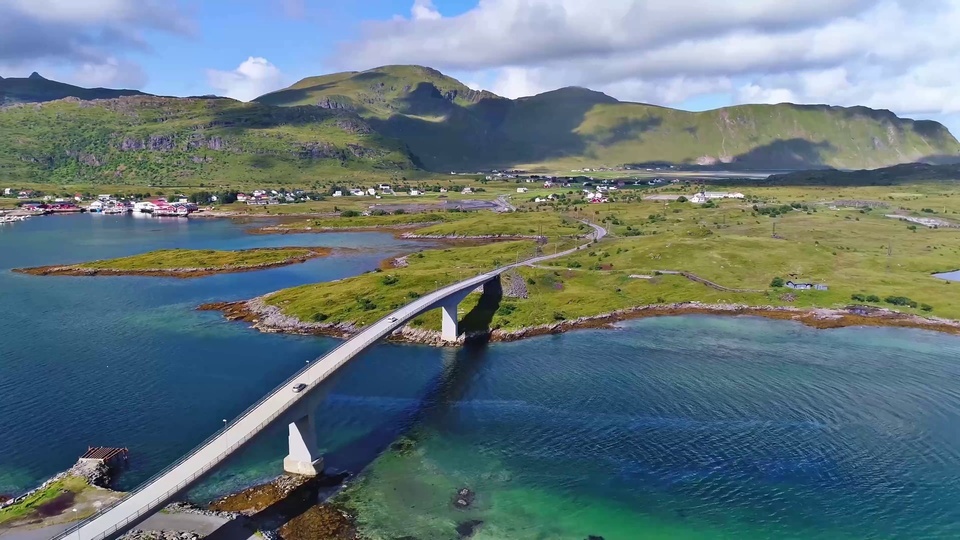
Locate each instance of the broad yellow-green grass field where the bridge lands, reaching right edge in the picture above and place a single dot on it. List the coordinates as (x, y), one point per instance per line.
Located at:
(861, 255)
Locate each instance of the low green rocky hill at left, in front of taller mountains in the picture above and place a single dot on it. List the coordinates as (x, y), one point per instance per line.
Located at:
(180, 141)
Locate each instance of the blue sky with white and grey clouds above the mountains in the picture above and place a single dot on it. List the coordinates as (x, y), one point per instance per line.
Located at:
(902, 55)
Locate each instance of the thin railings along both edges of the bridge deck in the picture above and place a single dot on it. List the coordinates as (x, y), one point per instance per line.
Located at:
(150, 506)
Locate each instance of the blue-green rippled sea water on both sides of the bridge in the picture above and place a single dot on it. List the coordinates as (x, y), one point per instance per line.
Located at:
(682, 427)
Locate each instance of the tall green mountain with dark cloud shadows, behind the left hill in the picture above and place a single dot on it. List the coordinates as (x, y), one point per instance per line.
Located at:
(450, 126)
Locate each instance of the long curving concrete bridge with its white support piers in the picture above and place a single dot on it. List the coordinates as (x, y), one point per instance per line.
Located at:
(304, 456)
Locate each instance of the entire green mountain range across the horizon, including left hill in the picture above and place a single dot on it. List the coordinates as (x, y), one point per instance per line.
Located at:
(396, 118)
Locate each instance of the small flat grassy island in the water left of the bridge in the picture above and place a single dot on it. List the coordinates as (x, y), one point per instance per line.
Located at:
(185, 263)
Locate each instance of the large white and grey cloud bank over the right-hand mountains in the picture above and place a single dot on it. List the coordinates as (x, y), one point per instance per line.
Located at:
(898, 54)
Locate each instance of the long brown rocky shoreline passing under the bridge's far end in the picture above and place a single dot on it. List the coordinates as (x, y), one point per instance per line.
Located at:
(270, 319)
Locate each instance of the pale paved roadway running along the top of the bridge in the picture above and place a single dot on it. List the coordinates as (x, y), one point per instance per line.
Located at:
(160, 489)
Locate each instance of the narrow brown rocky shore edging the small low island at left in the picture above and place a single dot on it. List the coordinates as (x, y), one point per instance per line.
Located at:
(76, 270)
